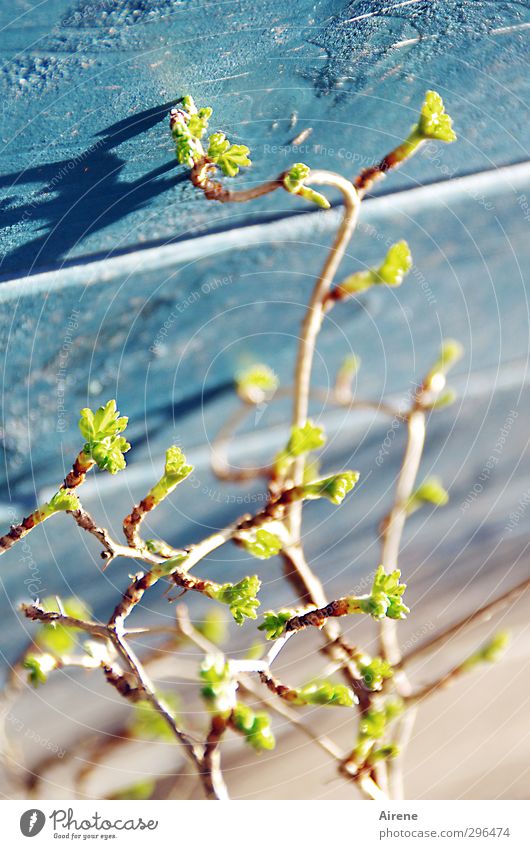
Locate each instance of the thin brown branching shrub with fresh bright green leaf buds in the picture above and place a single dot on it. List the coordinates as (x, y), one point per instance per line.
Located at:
(374, 689)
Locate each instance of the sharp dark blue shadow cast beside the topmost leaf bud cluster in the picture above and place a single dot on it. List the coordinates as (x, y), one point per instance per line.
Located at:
(81, 195)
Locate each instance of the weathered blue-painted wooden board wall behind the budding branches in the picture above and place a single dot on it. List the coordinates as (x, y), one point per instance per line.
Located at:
(118, 279)
